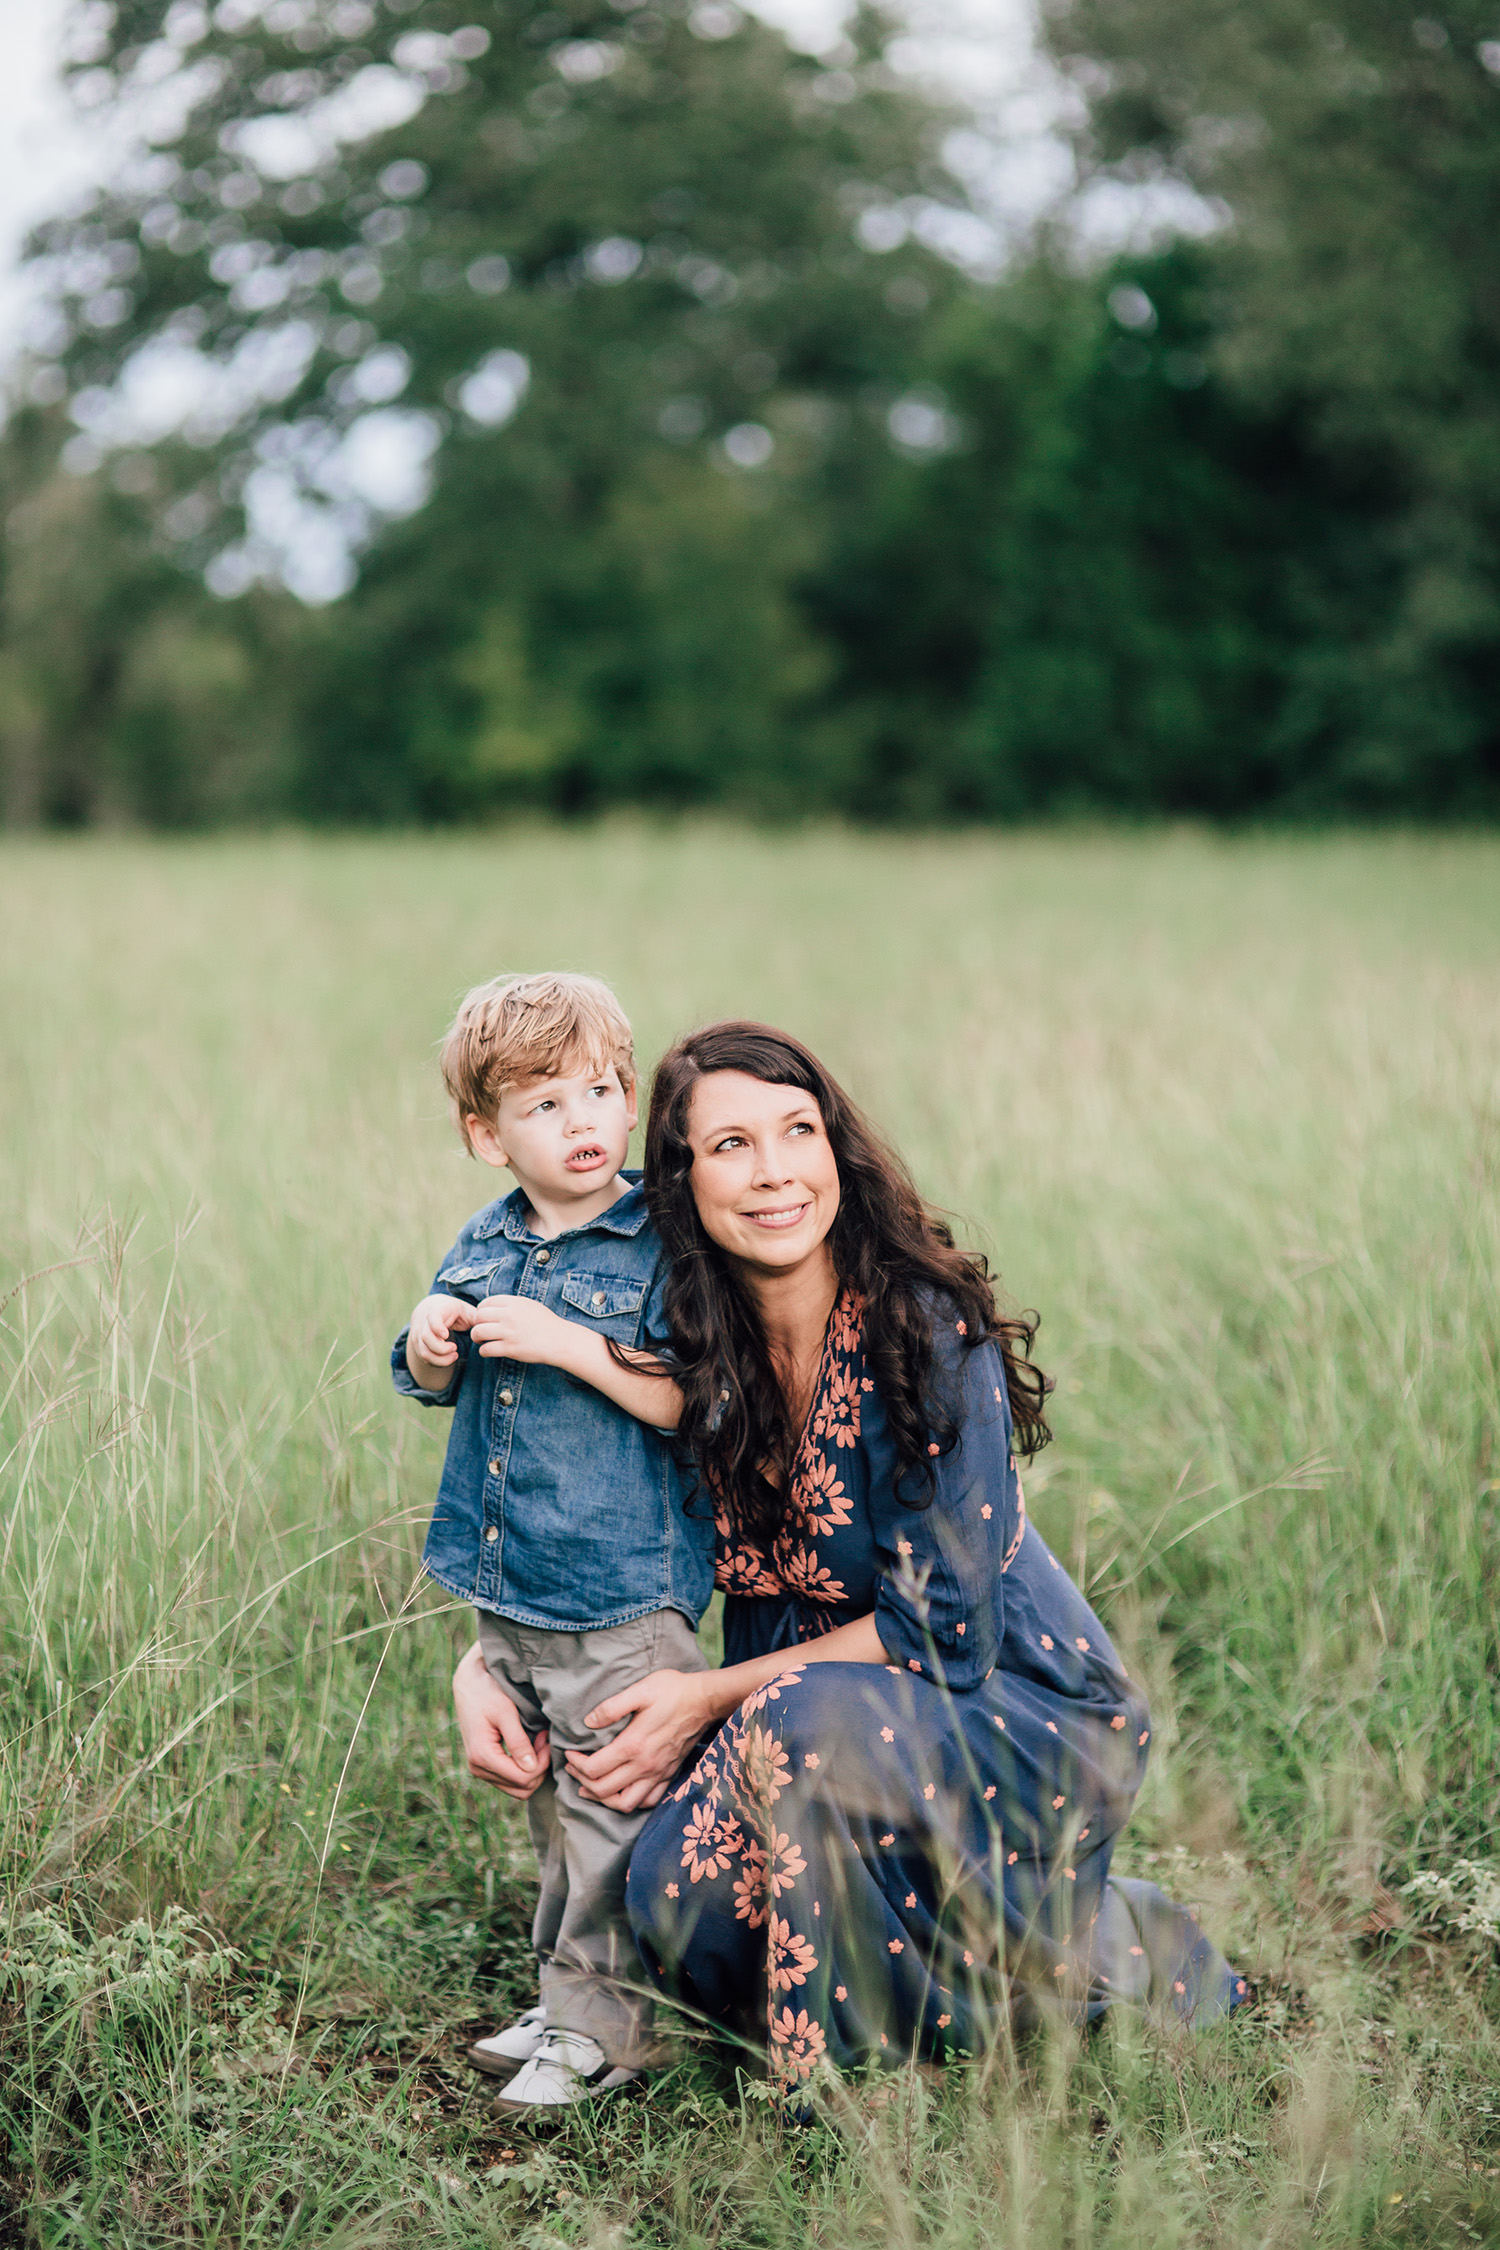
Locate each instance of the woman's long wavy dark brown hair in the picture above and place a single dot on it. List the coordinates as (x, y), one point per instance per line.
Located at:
(885, 1243)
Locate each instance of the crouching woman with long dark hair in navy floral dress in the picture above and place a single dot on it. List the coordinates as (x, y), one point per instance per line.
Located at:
(912, 1770)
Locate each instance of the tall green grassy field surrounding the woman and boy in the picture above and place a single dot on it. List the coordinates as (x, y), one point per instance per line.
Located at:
(1227, 1113)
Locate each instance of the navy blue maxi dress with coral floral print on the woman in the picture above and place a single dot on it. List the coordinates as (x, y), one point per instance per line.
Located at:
(876, 1860)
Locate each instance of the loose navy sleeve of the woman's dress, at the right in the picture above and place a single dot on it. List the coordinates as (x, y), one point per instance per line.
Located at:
(939, 1601)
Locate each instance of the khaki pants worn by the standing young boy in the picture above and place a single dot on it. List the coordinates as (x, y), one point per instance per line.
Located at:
(590, 1968)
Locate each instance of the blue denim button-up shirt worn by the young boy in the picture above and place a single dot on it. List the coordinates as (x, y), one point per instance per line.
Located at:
(557, 1509)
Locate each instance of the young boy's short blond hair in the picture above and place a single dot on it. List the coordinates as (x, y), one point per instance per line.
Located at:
(532, 1027)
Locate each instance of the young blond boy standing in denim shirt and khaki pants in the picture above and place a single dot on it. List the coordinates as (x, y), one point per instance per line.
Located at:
(561, 1513)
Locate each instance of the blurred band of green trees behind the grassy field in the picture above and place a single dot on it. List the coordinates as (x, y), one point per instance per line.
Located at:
(737, 492)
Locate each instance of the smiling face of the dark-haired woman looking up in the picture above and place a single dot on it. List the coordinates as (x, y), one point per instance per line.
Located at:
(763, 1171)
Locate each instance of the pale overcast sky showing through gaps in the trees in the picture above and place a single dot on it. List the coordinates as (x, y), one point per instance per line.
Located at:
(309, 521)
